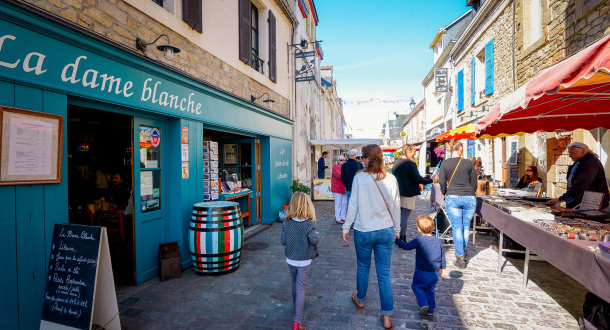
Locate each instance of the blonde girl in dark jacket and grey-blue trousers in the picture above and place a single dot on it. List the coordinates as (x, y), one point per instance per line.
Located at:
(301, 239)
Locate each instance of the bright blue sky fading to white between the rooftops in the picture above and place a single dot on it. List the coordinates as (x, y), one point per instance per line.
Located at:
(380, 49)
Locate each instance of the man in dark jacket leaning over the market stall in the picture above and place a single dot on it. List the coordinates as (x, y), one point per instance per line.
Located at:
(586, 174)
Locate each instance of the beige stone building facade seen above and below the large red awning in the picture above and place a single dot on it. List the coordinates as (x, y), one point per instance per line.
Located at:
(562, 29)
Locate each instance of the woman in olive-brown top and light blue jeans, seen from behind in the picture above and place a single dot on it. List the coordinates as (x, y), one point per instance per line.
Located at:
(458, 180)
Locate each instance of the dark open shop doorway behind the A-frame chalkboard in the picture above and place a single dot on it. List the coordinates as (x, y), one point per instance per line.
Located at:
(100, 185)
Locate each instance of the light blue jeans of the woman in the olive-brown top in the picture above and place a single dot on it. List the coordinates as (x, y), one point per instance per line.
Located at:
(460, 210)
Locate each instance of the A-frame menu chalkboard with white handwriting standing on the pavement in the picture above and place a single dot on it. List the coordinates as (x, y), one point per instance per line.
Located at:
(80, 288)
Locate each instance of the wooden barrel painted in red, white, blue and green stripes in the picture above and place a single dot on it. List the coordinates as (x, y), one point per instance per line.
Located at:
(216, 237)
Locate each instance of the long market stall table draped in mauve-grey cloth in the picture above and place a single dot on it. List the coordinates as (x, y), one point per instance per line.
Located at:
(573, 257)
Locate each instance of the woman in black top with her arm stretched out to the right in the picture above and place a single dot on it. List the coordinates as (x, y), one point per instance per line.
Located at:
(409, 179)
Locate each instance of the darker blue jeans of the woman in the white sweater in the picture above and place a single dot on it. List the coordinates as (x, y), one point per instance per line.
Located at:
(382, 242)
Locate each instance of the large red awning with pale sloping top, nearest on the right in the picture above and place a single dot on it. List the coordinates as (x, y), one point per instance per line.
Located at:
(572, 94)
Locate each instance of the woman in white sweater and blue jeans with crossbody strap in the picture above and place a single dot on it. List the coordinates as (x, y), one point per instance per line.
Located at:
(374, 208)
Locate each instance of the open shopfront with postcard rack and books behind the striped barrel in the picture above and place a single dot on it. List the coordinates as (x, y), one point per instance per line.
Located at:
(232, 172)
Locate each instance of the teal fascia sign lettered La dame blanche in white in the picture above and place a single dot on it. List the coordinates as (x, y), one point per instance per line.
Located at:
(44, 61)
